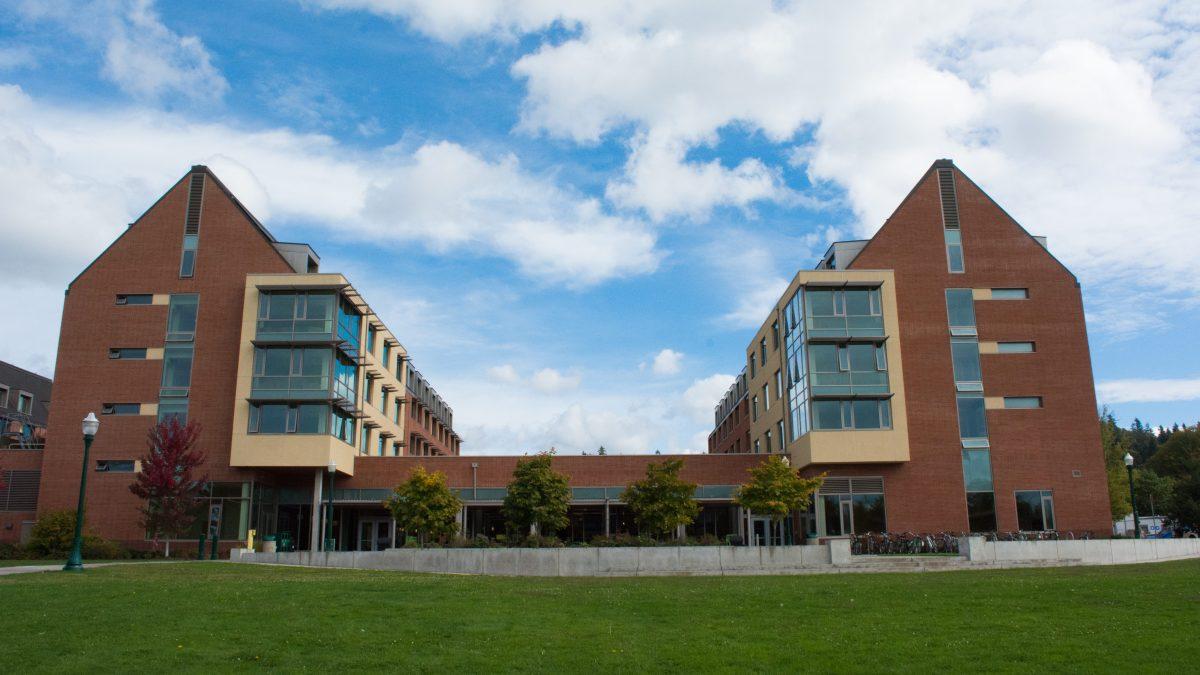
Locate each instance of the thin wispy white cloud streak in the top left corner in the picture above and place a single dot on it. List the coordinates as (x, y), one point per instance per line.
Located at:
(143, 57)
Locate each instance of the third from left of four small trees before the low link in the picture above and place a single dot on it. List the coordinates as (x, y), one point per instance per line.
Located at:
(662, 503)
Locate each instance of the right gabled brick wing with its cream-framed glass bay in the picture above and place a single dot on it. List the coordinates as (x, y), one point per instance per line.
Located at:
(938, 374)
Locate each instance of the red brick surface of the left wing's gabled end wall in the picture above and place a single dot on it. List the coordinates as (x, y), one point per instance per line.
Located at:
(146, 260)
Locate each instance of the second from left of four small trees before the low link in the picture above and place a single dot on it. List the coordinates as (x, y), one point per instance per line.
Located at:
(538, 498)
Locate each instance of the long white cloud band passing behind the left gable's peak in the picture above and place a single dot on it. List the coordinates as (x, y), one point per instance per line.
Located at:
(73, 178)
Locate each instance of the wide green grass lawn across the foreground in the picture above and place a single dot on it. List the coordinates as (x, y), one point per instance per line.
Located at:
(223, 617)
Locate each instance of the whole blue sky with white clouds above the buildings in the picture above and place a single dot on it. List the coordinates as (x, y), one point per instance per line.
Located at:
(575, 216)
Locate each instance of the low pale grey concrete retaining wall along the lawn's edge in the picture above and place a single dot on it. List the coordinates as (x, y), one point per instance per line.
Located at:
(833, 557)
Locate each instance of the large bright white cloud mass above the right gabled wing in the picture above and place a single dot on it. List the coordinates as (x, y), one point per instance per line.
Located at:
(1082, 118)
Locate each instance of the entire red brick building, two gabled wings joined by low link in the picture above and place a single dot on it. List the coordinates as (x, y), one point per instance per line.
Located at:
(944, 417)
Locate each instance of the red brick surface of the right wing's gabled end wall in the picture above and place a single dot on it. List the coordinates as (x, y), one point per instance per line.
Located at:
(1030, 449)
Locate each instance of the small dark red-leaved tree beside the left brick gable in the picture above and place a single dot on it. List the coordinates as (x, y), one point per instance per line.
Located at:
(167, 482)
